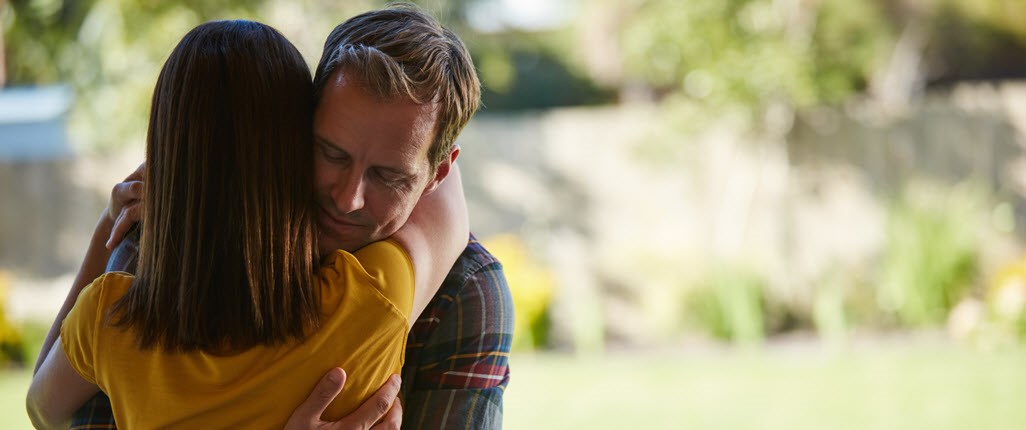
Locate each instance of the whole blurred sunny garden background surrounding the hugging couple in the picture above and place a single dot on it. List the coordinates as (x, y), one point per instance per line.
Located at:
(713, 214)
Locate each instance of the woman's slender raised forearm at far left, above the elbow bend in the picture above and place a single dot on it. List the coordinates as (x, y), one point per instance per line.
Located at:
(94, 265)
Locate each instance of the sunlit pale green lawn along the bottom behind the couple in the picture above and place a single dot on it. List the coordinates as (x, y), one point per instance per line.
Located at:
(882, 387)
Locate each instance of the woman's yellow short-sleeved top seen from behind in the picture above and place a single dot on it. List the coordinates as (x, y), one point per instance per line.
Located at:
(367, 300)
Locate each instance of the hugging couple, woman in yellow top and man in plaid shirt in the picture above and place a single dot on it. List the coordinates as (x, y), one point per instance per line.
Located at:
(289, 239)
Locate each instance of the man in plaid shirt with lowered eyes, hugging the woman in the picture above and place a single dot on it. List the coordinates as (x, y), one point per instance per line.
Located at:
(394, 90)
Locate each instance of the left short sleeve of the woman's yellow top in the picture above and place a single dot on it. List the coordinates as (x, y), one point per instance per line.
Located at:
(78, 332)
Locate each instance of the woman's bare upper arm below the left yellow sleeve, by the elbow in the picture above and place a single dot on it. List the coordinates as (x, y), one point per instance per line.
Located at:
(57, 392)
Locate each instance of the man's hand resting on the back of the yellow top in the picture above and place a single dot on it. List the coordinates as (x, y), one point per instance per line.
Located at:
(381, 412)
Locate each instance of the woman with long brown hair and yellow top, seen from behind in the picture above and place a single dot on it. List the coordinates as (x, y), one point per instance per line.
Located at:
(228, 324)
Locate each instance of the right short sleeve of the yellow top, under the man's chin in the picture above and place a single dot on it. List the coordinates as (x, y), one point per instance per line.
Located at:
(389, 264)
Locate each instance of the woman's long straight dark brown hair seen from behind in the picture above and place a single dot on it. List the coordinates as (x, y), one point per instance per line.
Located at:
(227, 247)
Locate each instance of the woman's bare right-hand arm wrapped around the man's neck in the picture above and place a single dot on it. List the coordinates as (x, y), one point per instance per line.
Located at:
(435, 237)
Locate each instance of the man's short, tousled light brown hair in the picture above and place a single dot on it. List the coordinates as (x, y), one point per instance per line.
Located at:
(403, 53)
